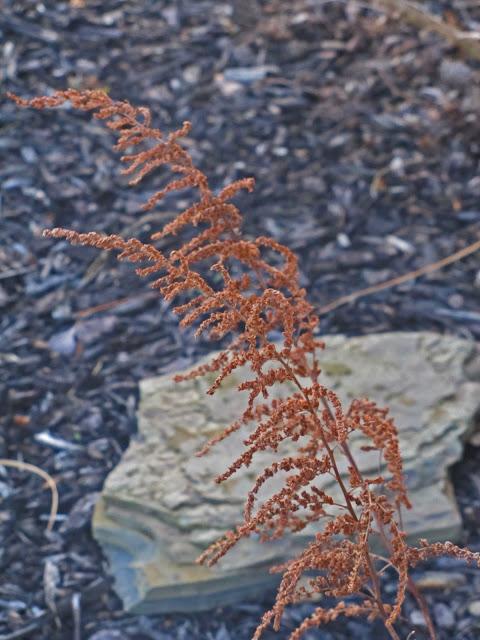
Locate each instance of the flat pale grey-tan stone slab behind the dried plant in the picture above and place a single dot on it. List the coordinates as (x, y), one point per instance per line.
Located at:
(160, 507)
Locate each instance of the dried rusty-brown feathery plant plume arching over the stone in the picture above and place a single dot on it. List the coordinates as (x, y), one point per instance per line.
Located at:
(248, 291)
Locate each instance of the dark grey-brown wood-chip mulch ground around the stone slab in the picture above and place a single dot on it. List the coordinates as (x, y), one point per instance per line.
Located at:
(364, 138)
